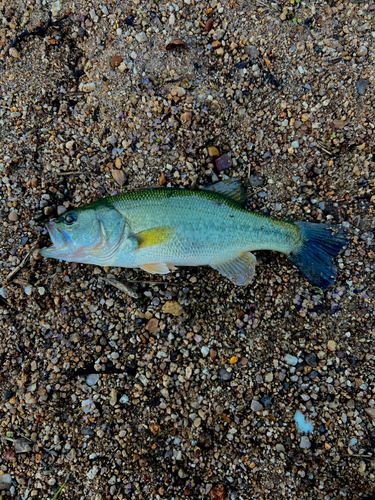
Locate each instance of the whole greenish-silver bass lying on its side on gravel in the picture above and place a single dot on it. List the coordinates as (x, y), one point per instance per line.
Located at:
(160, 229)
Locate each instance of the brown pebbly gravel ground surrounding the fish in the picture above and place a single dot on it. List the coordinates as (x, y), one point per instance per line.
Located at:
(191, 389)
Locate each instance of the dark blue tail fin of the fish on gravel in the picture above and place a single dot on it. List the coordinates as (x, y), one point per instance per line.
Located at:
(320, 244)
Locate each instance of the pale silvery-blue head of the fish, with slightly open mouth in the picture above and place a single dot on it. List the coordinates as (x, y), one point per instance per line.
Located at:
(89, 235)
